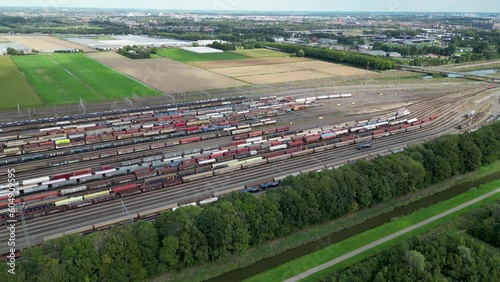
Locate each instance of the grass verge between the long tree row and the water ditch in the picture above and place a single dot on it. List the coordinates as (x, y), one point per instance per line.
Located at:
(208, 270)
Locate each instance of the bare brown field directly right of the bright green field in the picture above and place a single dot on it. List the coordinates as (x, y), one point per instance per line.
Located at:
(166, 75)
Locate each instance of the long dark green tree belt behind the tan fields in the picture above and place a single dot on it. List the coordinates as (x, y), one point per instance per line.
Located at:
(350, 58)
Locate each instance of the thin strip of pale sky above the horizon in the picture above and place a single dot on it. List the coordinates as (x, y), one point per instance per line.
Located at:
(276, 5)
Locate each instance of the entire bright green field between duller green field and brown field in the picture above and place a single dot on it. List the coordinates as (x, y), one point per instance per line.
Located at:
(65, 78)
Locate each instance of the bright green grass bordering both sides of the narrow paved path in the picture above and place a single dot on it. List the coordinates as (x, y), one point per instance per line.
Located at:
(307, 262)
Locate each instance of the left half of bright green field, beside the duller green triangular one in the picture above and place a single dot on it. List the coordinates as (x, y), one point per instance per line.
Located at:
(54, 84)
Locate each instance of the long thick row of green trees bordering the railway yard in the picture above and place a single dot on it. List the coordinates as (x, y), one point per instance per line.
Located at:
(193, 235)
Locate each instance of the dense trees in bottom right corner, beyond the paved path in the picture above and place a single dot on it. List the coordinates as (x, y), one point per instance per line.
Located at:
(436, 256)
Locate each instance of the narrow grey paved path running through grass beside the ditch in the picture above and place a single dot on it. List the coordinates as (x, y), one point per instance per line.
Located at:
(389, 237)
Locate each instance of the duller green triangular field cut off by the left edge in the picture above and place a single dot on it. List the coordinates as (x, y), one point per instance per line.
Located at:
(15, 88)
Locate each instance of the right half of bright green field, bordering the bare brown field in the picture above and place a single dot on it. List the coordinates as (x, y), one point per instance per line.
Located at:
(105, 81)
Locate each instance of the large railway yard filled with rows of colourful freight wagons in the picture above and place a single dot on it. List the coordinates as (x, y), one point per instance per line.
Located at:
(84, 173)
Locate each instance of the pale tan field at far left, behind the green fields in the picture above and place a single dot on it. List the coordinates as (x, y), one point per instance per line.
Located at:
(38, 42)
